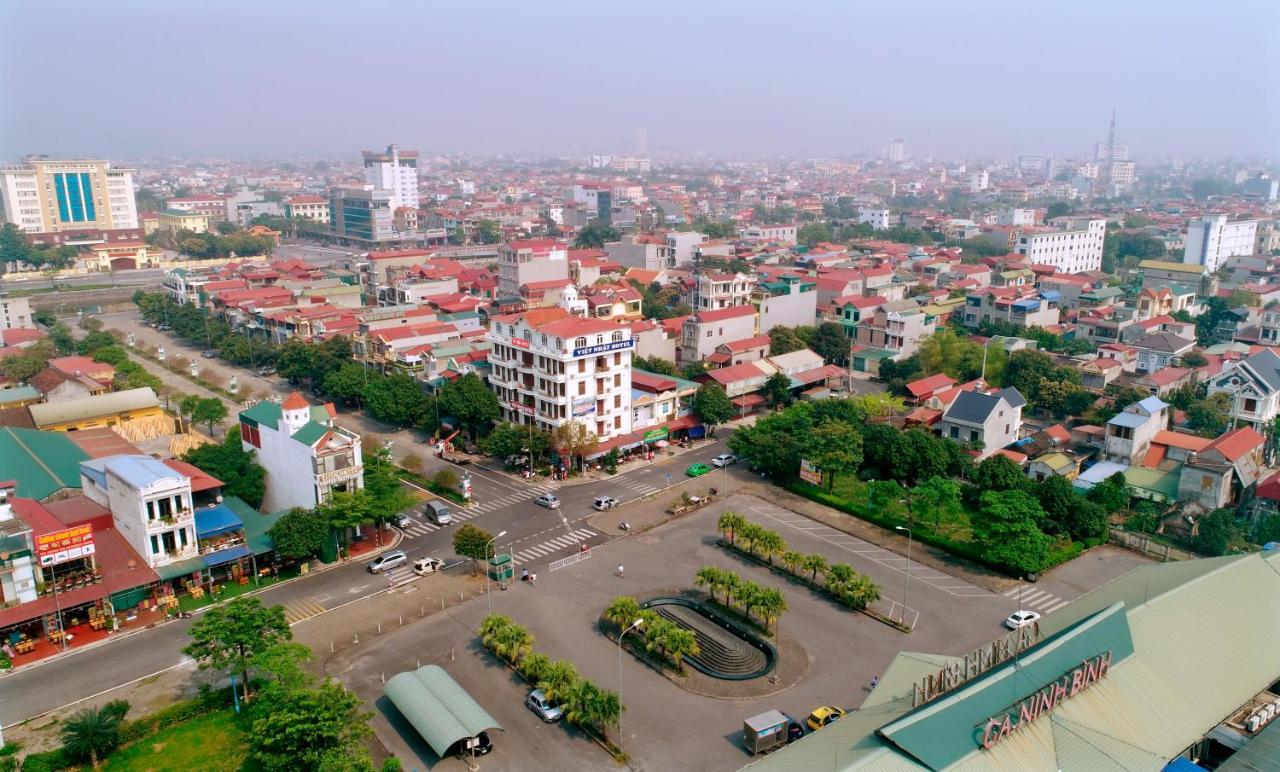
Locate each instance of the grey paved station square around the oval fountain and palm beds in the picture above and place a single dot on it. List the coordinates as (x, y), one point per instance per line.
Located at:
(666, 728)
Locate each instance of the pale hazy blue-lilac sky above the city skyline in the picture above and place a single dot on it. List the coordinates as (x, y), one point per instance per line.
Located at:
(276, 77)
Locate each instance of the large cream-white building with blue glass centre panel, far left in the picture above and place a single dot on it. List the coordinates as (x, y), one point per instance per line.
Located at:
(44, 197)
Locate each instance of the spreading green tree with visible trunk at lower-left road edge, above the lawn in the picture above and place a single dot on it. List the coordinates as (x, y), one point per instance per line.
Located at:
(230, 637)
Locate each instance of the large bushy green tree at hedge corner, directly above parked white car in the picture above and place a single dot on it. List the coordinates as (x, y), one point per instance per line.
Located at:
(1008, 532)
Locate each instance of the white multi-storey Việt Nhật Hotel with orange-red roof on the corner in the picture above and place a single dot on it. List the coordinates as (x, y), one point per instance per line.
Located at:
(550, 369)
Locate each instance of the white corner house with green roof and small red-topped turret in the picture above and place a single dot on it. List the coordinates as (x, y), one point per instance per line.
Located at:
(305, 454)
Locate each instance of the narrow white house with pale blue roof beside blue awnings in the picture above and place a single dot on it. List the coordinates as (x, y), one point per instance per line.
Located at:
(150, 505)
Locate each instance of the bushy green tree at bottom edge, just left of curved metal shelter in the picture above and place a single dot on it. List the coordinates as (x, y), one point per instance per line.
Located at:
(312, 730)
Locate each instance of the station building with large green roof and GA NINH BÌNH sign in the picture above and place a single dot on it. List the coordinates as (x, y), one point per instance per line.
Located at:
(1173, 664)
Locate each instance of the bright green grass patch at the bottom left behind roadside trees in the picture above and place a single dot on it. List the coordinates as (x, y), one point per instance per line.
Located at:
(216, 742)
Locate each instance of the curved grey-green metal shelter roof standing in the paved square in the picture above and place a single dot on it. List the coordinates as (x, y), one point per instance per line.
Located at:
(438, 707)
